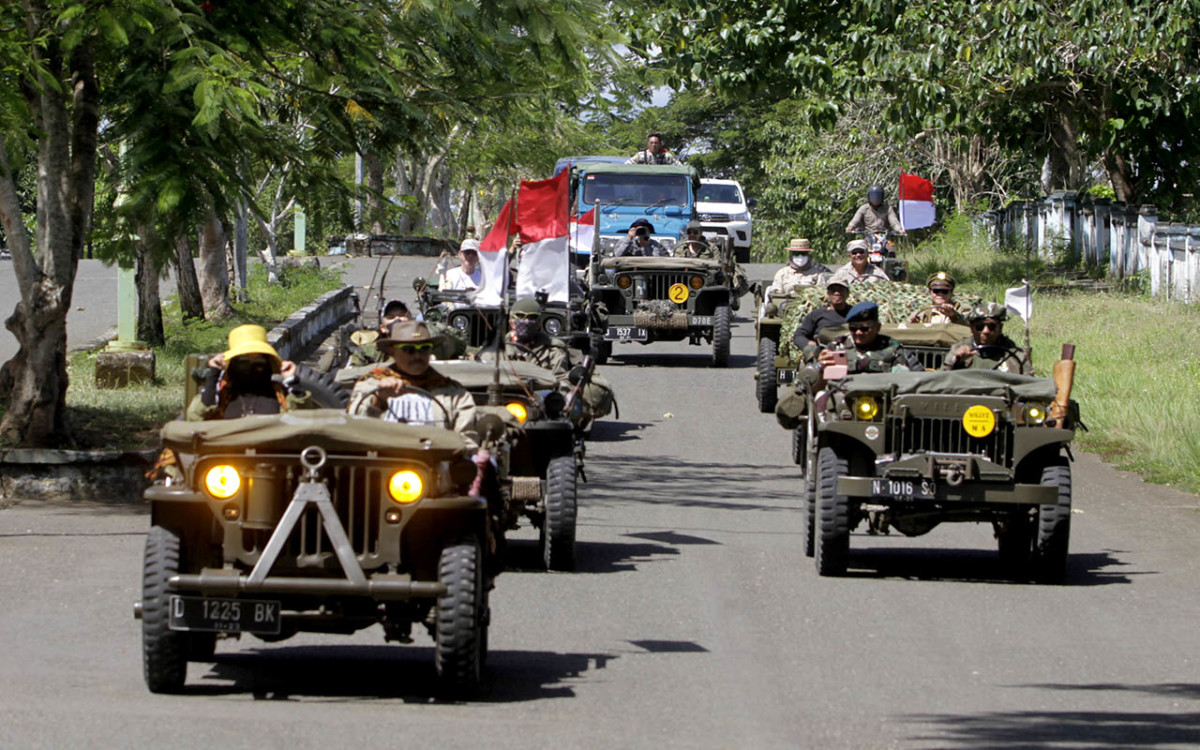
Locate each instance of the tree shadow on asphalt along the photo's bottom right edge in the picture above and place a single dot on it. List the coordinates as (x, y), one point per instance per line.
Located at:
(1035, 729)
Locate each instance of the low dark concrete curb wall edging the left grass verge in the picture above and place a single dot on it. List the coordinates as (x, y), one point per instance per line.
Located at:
(119, 477)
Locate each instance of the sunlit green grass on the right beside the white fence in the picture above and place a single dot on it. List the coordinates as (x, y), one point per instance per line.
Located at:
(1138, 359)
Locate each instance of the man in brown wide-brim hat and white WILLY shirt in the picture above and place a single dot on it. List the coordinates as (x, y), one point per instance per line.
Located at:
(410, 391)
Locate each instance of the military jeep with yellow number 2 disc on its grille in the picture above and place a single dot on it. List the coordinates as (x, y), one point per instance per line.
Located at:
(663, 299)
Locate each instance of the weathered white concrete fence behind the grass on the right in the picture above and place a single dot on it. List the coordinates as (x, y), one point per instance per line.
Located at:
(1129, 241)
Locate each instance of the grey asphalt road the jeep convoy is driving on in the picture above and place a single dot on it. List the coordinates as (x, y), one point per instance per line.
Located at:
(694, 620)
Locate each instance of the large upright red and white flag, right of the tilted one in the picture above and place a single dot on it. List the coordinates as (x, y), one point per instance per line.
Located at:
(544, 226)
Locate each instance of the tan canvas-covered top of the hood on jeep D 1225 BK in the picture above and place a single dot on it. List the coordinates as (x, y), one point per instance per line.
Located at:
(335, 431)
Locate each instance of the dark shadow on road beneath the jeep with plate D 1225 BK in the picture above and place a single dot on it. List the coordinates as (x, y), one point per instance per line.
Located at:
(328, 674)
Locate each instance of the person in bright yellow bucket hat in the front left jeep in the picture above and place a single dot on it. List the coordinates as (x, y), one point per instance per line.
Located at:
(242, 381)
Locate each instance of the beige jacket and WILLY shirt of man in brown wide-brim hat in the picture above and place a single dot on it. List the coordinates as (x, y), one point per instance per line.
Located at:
(436, 401)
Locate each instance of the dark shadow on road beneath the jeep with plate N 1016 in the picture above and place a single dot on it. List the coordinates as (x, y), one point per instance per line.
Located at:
(980, 566)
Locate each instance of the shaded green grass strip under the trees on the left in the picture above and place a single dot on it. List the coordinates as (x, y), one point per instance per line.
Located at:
(130, 418)
